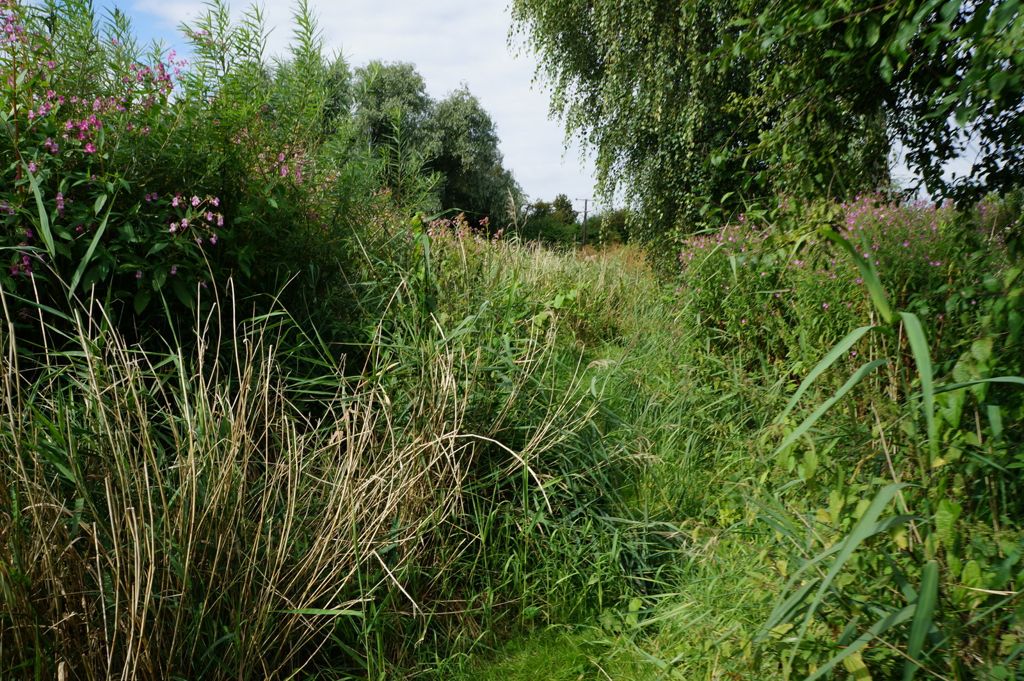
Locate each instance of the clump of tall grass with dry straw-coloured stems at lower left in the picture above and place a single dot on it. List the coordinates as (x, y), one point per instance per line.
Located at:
(211, 516)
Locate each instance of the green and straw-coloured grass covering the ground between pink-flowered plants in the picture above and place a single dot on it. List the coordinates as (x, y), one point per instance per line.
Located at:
(545, 470)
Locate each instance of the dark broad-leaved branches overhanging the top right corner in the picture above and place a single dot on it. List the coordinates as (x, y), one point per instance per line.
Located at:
(949, 72)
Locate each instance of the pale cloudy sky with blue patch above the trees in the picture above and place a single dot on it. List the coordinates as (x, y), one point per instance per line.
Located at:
(452, 42)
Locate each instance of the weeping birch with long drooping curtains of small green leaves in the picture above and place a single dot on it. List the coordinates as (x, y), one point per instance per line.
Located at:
(678, 119)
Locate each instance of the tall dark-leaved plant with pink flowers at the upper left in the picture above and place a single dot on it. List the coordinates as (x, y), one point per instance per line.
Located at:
(83, 203)
